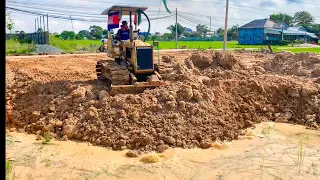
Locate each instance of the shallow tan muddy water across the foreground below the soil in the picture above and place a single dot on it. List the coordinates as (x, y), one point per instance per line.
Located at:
(272, 154)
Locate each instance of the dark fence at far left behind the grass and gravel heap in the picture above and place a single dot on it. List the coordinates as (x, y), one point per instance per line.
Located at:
(37, 38)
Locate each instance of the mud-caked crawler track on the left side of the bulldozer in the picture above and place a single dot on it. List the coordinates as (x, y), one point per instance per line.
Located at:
(113, 72)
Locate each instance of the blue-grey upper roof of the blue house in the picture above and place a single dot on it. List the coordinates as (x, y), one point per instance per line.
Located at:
(261, 23)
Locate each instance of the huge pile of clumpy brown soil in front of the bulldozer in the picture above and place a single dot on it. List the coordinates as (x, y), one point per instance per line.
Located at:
(212, 96)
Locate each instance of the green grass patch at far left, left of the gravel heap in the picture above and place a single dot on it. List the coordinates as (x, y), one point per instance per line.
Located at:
(15, 47)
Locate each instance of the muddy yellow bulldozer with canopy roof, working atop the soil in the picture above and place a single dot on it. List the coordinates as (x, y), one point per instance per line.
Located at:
(133, 65)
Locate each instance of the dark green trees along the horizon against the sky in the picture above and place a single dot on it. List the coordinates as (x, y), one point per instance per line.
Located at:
(300, 18)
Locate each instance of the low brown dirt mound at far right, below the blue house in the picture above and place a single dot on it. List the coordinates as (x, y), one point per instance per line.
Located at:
(302, 64)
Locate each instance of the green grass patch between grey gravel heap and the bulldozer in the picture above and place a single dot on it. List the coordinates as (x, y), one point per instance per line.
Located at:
(73, 45)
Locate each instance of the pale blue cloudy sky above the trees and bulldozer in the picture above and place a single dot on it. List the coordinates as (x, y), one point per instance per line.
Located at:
(190, 12)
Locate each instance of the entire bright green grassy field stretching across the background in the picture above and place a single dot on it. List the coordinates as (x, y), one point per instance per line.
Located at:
(13, 47)
